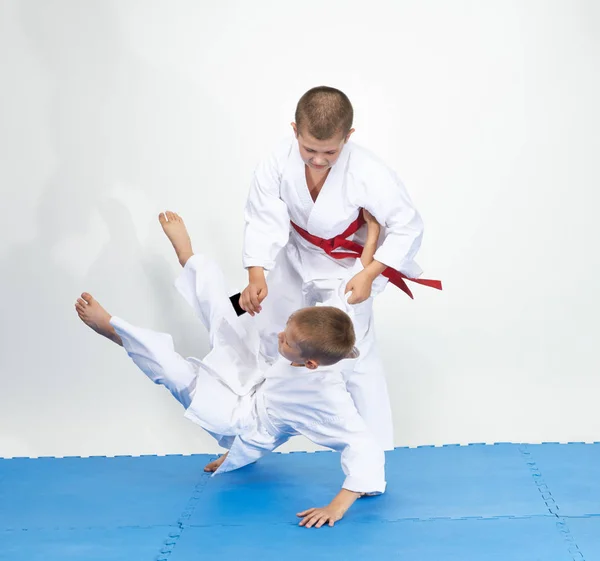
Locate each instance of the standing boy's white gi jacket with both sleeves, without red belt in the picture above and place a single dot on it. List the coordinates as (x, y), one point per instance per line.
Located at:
(358, 179)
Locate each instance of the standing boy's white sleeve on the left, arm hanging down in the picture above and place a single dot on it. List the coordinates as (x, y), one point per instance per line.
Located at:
(267, 217)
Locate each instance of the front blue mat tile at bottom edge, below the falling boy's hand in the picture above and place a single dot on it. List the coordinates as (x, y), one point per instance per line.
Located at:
(525, 539)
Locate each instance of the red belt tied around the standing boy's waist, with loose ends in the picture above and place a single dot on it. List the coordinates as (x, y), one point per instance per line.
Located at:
(355, 250)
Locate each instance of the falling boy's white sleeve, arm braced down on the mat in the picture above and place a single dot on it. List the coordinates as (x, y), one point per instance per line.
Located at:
(363, 460)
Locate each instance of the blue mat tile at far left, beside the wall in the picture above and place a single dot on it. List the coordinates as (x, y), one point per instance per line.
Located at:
(92, 492)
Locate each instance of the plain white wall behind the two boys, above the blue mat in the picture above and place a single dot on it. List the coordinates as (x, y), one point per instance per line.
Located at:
(114, 111)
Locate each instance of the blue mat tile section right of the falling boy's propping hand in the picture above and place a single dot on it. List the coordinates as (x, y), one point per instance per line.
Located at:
(458, 481)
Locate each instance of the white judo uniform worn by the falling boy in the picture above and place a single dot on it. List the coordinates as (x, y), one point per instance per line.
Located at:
(249, 400)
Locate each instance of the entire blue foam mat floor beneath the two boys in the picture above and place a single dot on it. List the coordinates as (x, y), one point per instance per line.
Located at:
(503, 502)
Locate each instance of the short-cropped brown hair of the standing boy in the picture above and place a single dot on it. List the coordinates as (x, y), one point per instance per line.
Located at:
(324, 112)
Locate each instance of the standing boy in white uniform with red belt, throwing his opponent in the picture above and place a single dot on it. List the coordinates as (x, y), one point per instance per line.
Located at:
(303, 223)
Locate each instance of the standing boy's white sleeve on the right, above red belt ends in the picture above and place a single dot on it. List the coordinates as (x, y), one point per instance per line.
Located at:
(388, 201)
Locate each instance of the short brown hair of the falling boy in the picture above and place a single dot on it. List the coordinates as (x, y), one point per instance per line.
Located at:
(325, 334)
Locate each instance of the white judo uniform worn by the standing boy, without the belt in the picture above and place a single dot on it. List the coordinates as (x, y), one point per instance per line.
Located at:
(301, 274)
